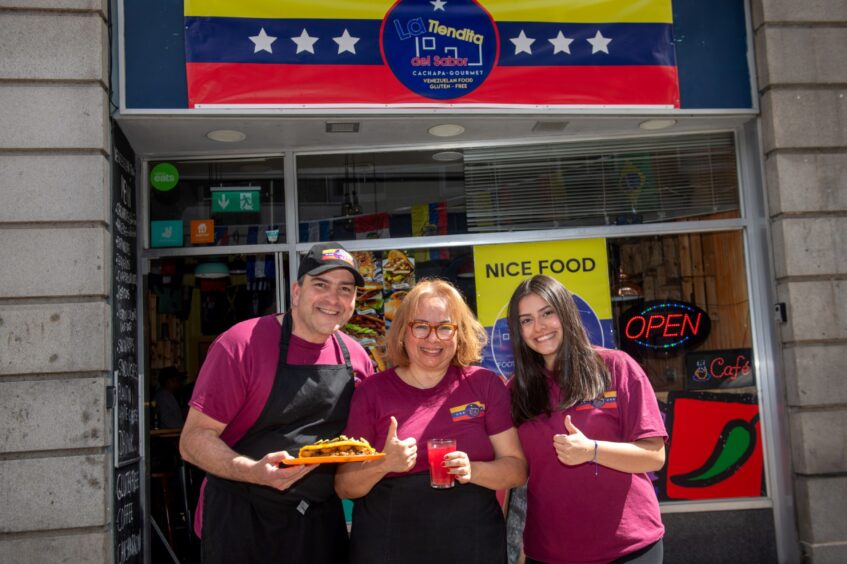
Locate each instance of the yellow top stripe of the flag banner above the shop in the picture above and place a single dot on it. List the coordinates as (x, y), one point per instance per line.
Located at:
(572, 11)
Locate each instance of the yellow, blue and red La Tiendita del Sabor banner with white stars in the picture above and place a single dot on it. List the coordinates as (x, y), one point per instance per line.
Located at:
(442, 53)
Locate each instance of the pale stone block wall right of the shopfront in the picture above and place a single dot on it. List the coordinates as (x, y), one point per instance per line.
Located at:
(802, 75)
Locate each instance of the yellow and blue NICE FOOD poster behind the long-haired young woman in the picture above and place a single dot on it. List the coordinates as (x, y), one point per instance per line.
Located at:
(582, 266)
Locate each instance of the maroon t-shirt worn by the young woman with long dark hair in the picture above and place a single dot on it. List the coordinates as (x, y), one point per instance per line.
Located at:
(573, 516)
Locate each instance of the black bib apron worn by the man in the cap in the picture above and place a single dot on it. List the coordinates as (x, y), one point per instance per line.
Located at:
(248, 523)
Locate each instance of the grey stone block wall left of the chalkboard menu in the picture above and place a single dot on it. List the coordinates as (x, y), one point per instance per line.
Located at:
(55, 464)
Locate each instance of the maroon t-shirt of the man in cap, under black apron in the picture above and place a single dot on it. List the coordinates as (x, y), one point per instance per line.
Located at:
(236, 378)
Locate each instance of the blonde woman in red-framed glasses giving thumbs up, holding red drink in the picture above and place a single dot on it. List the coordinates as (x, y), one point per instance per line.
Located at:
(433, 392)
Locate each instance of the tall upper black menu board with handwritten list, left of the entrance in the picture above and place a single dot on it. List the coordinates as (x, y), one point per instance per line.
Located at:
(124, 307)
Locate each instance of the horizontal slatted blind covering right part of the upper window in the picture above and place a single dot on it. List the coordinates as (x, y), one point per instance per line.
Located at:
(600, 182)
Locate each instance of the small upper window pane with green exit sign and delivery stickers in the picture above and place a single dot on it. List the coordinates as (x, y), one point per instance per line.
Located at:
(216, 203)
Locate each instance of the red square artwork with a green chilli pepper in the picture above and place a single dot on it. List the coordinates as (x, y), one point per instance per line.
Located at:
(715, 448)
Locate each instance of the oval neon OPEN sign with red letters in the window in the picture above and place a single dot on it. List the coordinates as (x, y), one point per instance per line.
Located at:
(665, 325)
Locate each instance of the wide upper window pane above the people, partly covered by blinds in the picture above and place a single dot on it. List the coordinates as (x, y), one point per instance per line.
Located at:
(495, 189)
